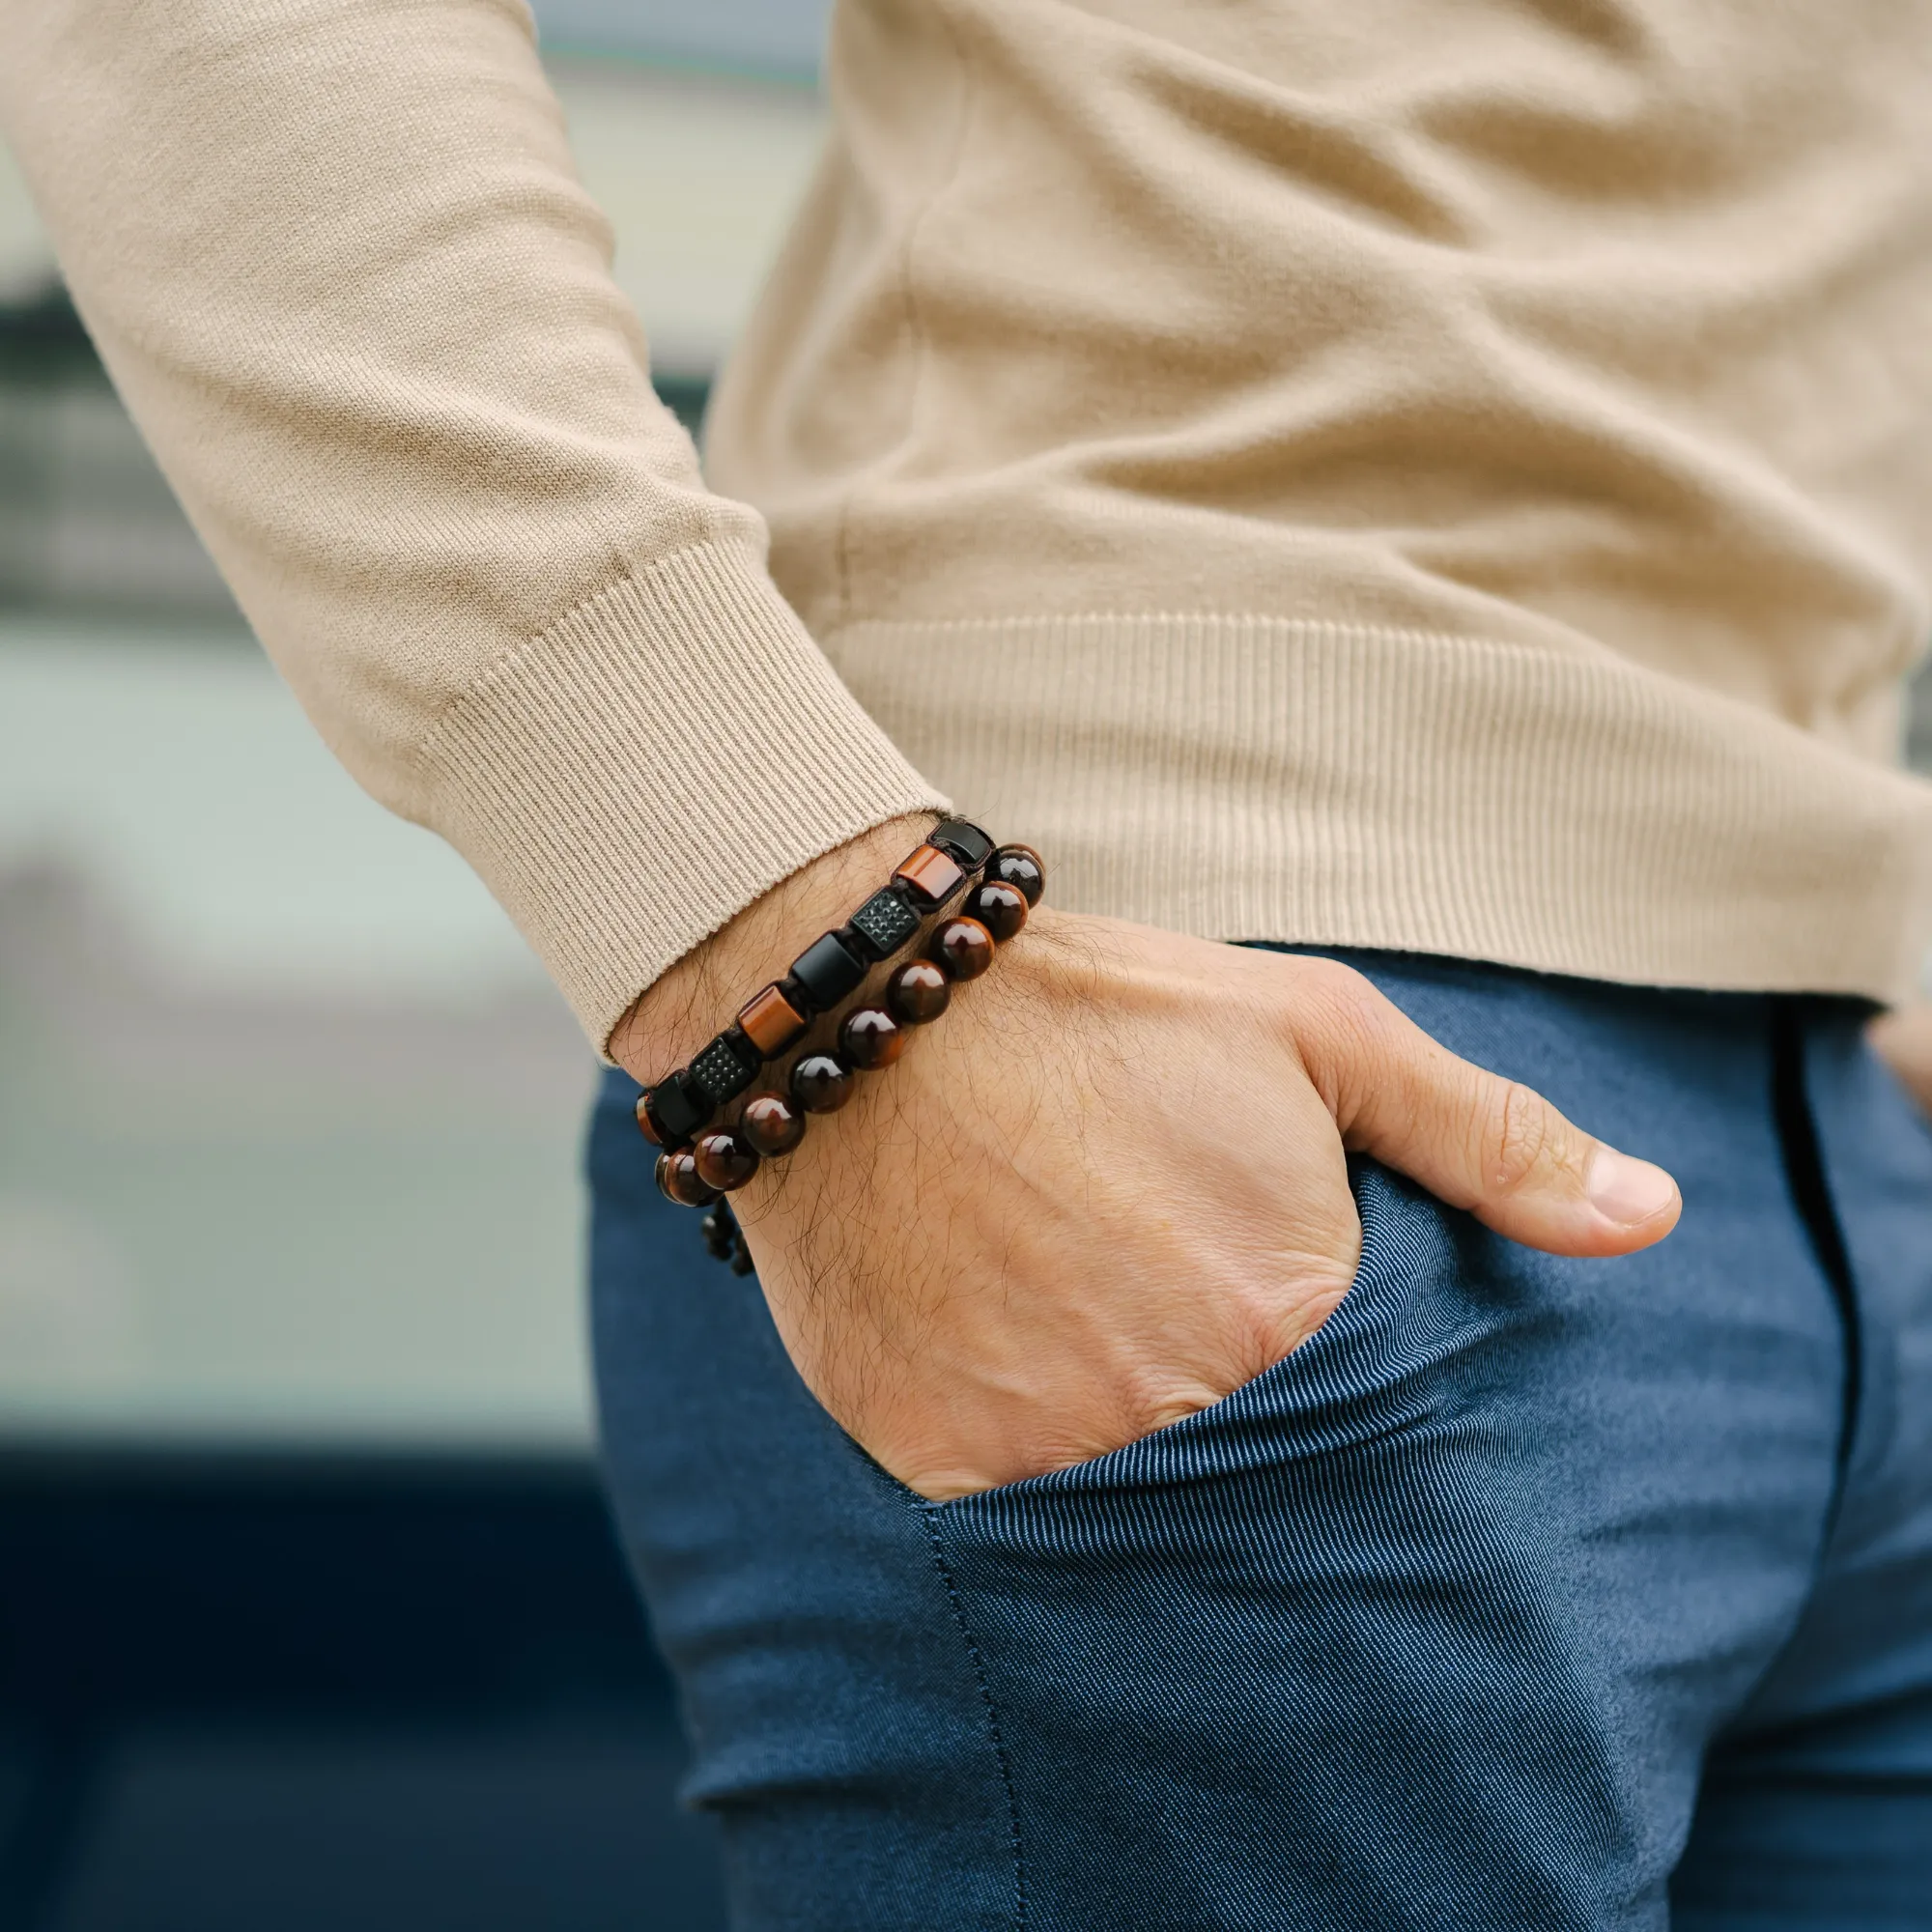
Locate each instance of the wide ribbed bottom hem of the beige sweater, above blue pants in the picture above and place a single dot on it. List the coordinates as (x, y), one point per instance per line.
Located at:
(1253, 778)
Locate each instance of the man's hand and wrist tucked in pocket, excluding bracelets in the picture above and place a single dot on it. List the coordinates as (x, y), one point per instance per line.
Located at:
(1110, 1185)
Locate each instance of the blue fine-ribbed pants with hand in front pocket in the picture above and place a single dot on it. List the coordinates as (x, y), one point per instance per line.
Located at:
(1529, 1593)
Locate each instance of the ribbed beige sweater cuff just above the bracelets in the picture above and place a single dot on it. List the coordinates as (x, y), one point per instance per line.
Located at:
(656, 760)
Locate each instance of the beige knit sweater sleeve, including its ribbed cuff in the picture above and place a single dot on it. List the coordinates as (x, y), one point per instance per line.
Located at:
(339, 264)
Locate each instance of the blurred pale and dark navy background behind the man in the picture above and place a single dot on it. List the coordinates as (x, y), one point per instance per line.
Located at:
(310, 1614)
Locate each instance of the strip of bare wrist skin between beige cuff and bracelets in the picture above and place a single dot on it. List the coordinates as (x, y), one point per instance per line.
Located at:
(683, 1009)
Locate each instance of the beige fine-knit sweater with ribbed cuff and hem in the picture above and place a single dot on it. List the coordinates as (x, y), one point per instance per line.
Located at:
(1440, 474)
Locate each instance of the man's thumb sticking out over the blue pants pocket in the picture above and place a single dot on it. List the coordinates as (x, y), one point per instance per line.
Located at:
(1492, 1147)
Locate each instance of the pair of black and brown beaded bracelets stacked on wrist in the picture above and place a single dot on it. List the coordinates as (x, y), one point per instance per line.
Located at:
(700, 1164)
